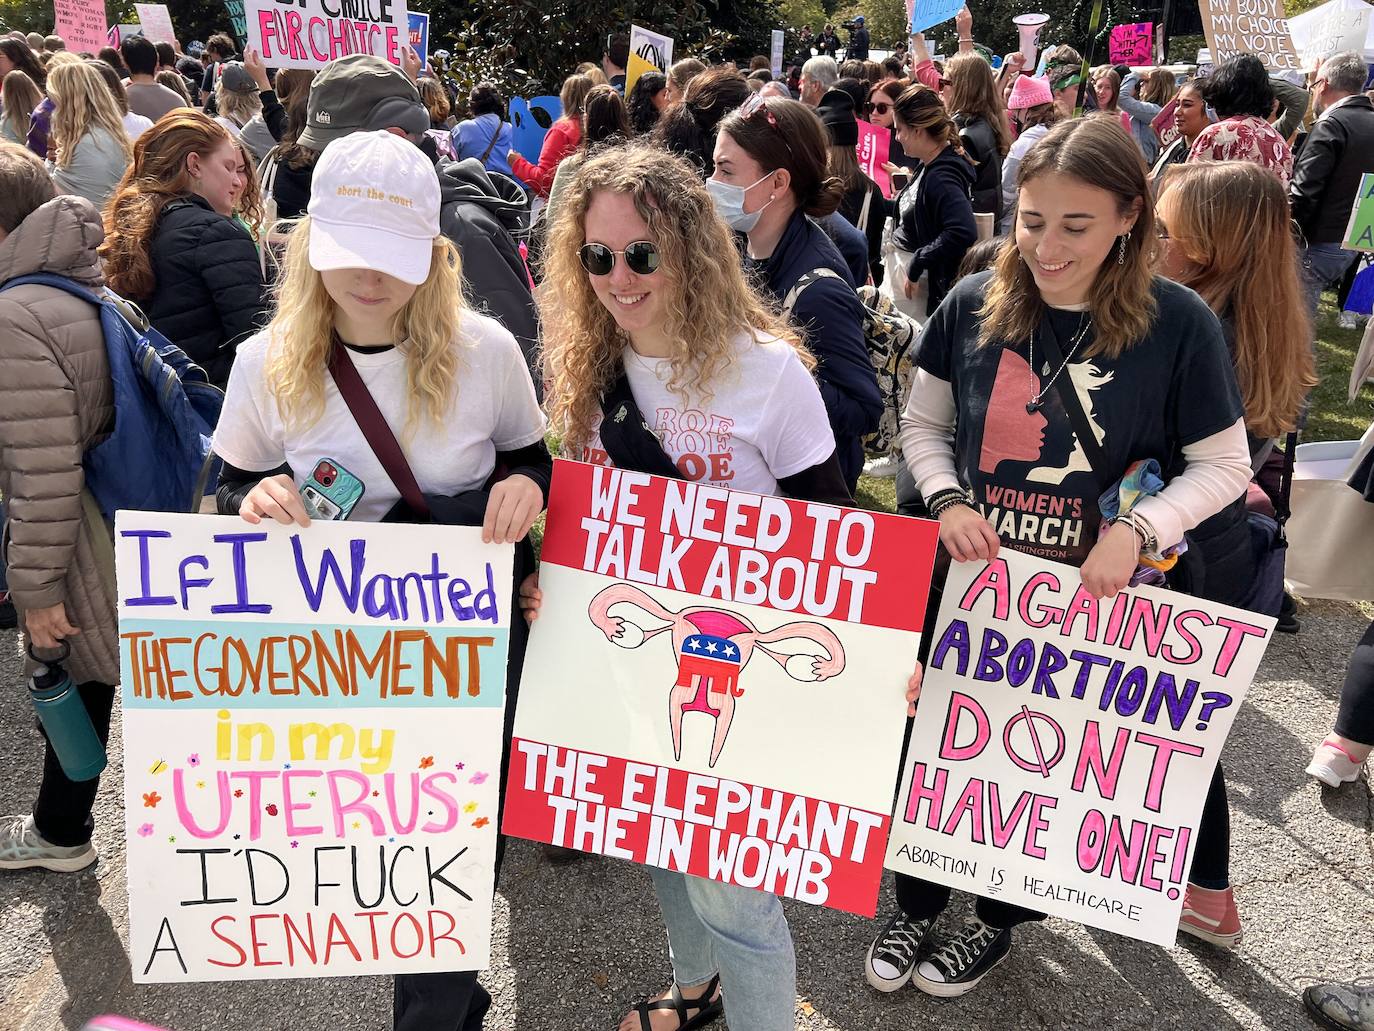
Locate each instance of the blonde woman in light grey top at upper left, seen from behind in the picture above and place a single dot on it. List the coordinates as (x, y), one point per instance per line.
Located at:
(90, 149)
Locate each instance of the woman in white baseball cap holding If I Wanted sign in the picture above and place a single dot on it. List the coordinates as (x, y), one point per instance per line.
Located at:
(379, 395)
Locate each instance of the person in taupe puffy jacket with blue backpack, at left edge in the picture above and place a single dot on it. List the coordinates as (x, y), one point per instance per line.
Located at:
(56, 403)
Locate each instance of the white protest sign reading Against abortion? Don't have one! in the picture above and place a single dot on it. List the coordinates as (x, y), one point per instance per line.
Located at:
(1064, 746)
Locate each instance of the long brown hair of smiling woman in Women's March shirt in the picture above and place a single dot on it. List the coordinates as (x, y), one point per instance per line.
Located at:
(1097, 152)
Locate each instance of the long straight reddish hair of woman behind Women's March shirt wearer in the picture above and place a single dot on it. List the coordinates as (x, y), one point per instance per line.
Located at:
(1230, 222)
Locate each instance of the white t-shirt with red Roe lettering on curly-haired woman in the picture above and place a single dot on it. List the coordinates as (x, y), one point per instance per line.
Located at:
(763, 423)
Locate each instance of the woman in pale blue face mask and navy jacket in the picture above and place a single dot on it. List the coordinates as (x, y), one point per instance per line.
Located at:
(772, 174)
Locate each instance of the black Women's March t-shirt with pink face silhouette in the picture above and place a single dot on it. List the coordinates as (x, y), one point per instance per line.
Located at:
(1028, 474)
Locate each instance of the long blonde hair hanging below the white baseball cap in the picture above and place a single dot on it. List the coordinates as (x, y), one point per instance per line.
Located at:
(302, 335)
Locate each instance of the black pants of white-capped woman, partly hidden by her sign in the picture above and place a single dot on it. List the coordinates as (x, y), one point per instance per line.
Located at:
(453, 1000)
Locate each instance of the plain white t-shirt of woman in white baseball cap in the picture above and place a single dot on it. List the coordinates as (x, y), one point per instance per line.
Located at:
(493, 409)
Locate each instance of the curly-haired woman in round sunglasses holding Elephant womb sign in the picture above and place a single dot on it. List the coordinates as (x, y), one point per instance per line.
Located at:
(652, 331)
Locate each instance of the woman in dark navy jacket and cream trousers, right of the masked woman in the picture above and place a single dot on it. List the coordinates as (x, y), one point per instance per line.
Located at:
(935, 215)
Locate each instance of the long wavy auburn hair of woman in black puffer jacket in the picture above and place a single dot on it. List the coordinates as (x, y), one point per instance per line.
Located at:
(157, 177)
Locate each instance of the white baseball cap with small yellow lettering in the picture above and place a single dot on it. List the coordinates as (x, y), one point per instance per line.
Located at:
(374, 204)
